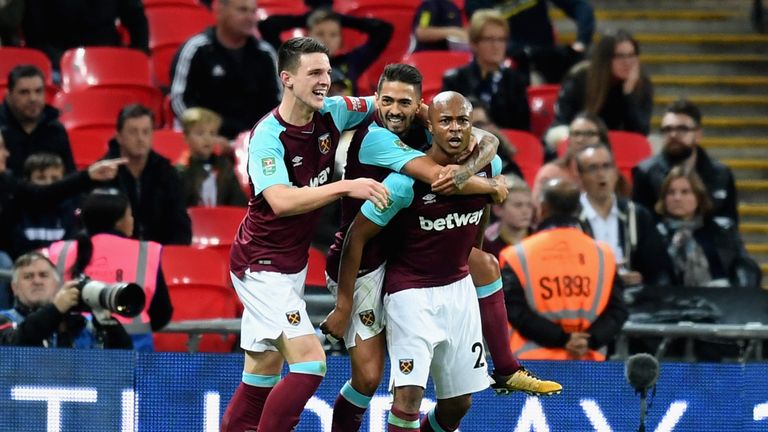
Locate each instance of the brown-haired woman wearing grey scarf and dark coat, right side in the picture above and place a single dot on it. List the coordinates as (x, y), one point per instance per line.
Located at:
(705, 250)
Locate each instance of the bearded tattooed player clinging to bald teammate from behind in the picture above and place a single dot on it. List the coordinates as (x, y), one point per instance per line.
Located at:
(398, 102)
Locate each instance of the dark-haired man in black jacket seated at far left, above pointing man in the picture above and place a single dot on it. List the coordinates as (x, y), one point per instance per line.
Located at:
(28, 124)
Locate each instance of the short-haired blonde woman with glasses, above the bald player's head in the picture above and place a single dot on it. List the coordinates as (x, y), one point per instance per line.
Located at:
(486, 77)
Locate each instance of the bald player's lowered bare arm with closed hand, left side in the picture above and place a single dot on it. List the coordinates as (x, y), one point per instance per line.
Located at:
(360, 232)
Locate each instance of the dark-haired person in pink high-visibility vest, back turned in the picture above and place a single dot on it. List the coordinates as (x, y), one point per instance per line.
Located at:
(105, 253)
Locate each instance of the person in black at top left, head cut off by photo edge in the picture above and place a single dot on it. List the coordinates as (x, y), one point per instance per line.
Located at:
(56, 26)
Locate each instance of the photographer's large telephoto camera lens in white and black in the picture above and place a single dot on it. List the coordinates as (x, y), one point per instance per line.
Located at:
(123, 298)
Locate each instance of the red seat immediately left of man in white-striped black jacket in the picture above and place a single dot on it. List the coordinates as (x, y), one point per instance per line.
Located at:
(169, 27)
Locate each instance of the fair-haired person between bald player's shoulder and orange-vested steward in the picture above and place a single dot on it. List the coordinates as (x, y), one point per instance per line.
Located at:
(515, 216)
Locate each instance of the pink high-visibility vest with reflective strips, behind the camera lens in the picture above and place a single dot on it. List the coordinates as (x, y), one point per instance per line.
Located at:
(116, 259)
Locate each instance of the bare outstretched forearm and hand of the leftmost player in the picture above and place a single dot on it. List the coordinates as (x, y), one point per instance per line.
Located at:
(288, 201)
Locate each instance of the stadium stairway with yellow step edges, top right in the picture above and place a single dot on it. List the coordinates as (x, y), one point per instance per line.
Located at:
(707, 51)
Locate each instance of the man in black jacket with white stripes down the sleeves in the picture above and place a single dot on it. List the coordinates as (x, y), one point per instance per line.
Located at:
(227, 70)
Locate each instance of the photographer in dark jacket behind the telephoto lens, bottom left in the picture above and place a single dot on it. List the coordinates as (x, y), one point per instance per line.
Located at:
(43, 313)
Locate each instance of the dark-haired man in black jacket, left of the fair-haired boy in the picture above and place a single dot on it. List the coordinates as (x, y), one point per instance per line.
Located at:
(149, 180)
